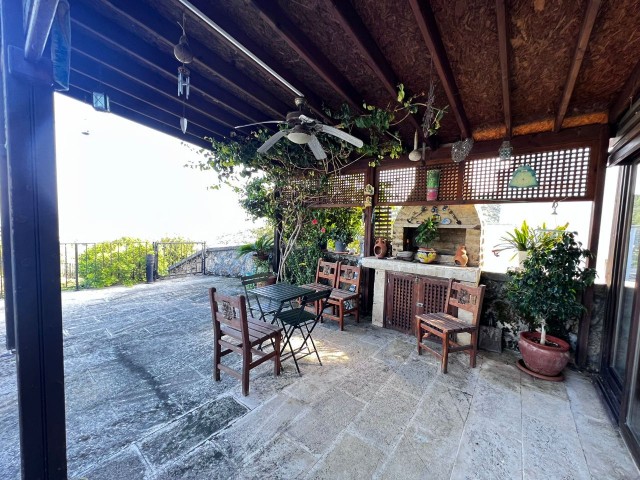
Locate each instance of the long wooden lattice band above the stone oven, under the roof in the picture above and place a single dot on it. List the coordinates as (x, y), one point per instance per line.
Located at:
(566, 174)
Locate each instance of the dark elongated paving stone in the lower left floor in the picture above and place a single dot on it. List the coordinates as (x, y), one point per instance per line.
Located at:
(190, 430)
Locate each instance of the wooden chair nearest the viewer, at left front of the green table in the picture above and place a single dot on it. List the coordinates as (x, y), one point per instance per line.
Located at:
(233, 331)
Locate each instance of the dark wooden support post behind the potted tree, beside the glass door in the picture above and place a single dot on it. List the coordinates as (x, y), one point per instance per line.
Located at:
(594, 240)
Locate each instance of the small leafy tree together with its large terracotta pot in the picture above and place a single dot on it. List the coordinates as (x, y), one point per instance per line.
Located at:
(544, 293)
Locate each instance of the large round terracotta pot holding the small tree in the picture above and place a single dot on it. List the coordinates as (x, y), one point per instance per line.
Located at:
(543, 359)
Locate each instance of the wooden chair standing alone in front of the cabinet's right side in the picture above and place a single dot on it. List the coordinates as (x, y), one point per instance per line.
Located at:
(446, 325)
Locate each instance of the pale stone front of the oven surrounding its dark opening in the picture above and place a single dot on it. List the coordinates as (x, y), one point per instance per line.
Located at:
(450, 237)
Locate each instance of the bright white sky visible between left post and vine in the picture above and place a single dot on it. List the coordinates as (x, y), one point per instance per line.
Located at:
(124, 179)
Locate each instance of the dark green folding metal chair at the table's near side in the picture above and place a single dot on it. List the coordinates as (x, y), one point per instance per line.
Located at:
(304, 321)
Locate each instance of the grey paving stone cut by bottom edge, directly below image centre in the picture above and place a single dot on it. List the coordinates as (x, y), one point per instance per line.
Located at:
(350, 458)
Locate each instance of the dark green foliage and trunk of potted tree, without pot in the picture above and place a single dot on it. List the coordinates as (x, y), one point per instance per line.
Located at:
(544, 292)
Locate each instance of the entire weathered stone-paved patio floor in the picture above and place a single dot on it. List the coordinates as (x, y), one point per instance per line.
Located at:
(141, 404)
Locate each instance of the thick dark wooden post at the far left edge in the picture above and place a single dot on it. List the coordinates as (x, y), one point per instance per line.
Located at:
(34, 252)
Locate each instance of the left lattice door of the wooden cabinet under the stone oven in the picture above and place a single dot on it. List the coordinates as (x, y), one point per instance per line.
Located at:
(400, 302)
